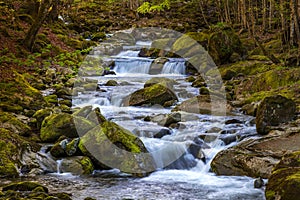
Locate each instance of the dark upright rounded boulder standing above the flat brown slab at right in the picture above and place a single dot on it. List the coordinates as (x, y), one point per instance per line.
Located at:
(273, 111)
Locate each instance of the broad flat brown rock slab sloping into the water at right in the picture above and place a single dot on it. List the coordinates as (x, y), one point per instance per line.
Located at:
(256, 157)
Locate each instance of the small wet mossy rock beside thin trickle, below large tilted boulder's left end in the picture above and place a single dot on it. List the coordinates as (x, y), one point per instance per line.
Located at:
(77, 165)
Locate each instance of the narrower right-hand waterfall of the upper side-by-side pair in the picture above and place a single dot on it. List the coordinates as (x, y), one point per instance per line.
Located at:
(176, 66)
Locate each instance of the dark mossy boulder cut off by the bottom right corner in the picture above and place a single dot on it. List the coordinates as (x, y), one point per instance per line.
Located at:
(284, 182)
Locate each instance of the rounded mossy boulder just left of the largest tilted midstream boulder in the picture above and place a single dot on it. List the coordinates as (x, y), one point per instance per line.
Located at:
(57, 125)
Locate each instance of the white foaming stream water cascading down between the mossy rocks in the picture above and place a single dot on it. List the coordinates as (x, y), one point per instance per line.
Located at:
(187, 178)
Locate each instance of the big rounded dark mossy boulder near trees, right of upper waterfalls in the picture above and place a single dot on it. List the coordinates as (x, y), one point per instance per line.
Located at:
(222, 44)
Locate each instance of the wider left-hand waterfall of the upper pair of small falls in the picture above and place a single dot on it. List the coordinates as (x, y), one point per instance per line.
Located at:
(133, 65)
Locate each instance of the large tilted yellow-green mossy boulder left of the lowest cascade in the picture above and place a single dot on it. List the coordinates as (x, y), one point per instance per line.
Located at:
(111, 146)
